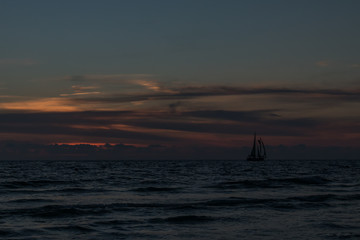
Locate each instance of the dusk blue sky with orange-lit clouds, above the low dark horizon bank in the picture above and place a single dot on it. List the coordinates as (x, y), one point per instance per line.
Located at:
(180, 74)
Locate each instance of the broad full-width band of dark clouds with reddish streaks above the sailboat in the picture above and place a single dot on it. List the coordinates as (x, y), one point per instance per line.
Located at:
(201, 127)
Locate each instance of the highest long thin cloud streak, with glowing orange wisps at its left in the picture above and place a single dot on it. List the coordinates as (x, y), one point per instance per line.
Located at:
(130, 88)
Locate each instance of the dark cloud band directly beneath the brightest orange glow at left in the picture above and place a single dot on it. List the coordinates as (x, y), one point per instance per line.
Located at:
(65, 124)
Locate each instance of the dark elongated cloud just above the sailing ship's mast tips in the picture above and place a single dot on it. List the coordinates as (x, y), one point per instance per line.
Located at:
(241, 122)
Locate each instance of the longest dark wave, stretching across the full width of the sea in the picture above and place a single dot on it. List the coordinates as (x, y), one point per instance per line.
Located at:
(293, 202)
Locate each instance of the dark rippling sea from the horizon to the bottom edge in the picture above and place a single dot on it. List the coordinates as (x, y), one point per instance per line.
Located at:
(180, 200)
